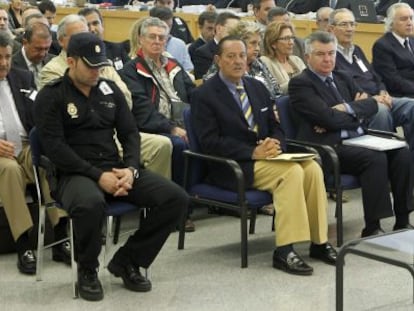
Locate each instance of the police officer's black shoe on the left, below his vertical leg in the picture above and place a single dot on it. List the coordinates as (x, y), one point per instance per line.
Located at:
(89, 286)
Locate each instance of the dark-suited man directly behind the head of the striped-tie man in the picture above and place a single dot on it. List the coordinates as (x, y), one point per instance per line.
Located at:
(203, 56)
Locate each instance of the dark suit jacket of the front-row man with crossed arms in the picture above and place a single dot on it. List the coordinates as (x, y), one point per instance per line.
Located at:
(312, 101)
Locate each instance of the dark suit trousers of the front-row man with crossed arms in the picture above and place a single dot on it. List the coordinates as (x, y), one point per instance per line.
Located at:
(376, 171)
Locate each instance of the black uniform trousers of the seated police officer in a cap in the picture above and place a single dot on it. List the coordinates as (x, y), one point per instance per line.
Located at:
(85, 202)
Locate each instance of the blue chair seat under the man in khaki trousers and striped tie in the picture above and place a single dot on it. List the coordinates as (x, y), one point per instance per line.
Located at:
(255, 198)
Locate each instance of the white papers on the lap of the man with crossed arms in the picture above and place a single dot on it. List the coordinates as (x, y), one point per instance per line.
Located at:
(375, 142)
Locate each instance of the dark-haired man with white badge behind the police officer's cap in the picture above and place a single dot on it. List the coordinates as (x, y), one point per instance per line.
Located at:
(115, 52)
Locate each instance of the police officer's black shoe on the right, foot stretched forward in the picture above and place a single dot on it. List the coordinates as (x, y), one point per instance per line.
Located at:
(132, 278)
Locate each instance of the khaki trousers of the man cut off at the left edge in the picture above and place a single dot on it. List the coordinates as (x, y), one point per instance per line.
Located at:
(14, 175)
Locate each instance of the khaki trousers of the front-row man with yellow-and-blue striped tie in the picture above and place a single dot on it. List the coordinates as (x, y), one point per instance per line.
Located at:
(299, 199)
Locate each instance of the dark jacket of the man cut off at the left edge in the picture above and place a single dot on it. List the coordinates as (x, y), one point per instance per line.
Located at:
(21, 83)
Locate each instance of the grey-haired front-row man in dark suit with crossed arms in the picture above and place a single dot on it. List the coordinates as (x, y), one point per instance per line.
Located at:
(330, 108)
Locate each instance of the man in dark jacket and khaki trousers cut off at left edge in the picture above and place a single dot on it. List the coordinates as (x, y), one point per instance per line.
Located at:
(17, 92)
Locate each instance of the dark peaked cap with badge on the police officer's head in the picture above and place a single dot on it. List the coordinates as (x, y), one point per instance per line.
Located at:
(88, 47)
